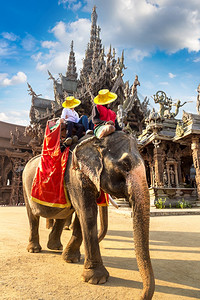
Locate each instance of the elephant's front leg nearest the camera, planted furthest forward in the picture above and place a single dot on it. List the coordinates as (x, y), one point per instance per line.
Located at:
(94, 271)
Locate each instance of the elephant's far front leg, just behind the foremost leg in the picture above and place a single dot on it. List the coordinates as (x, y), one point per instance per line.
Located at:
(72, 254)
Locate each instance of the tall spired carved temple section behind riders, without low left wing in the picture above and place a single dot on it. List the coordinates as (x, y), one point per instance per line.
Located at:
(99, 71)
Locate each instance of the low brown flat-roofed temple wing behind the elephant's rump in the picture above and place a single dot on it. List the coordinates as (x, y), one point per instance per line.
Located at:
(14, 153)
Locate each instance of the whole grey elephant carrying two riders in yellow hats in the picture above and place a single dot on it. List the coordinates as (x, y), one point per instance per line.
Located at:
(113, 164)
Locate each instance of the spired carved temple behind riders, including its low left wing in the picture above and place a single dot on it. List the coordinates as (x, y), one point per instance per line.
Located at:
(99, 71)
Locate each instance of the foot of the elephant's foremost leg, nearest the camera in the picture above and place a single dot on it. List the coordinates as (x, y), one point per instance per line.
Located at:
(98, 275)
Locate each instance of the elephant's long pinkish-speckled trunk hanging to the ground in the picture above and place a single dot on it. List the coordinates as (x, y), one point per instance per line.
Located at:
(139, 196)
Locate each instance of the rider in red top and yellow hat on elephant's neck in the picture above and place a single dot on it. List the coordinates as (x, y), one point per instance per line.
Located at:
(104, 119)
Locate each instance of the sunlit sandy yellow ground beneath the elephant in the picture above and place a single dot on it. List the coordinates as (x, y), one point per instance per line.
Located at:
(175, 253)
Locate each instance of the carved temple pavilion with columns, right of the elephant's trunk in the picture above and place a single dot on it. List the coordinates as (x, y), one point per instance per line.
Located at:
(170, 149)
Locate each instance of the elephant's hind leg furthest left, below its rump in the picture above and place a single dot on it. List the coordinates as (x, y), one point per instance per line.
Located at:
(34, 245)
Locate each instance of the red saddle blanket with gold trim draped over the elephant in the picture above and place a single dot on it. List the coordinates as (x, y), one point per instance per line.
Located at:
(48, 185)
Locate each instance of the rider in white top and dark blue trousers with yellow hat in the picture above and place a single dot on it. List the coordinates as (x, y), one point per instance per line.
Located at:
(72, 120)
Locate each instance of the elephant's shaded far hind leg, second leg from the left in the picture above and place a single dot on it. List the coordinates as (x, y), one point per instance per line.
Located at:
(54, 242)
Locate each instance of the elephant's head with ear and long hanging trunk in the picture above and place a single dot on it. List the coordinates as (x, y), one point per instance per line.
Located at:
(114, 165)
